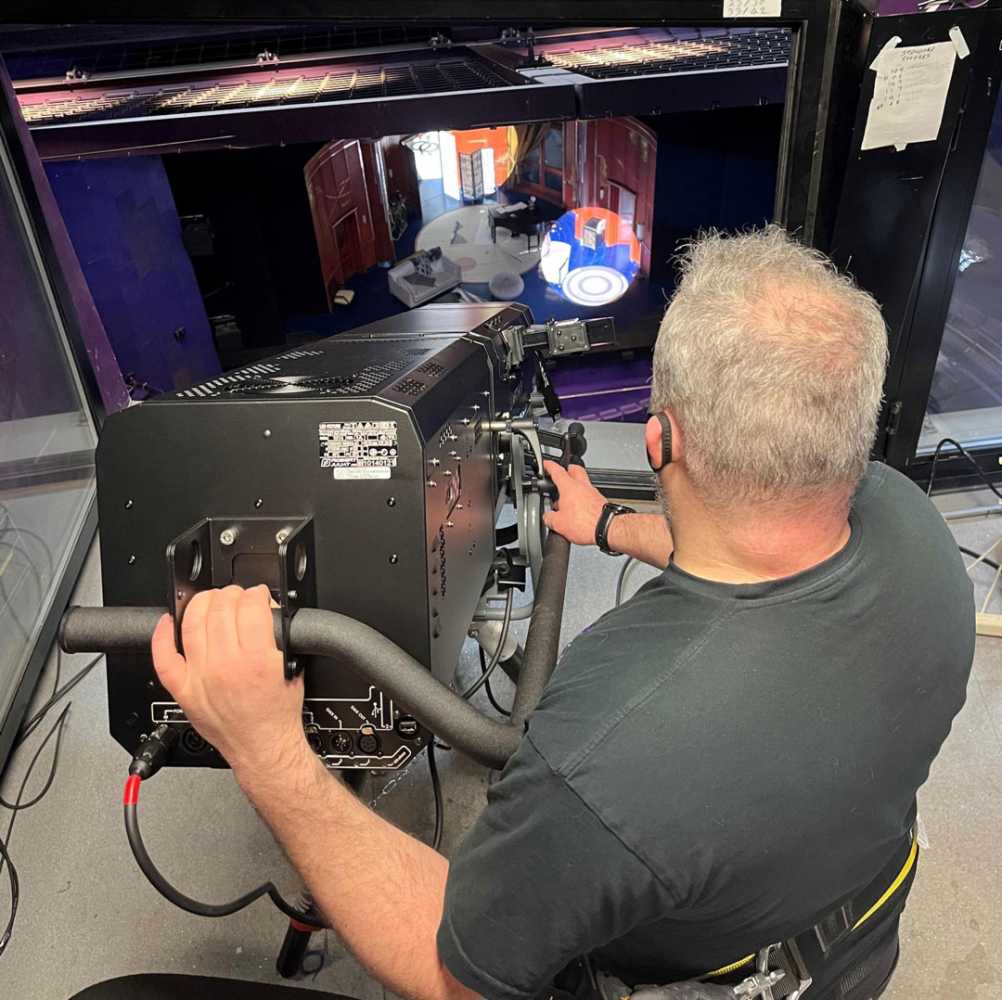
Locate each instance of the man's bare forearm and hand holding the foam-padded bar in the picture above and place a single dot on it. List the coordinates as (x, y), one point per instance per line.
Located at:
(382, 890)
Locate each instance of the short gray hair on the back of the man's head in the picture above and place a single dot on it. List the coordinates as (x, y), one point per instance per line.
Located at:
(773, 364)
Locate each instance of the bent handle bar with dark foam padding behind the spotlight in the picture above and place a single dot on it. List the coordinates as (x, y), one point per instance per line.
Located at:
(375, 658)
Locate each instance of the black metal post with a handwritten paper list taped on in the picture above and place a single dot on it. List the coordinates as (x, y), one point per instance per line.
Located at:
(902, 220)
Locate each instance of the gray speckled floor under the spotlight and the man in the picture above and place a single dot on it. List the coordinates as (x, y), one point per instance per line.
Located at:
(88, 914)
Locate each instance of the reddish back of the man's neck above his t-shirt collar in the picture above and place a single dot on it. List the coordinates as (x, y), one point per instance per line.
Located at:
(760, 545)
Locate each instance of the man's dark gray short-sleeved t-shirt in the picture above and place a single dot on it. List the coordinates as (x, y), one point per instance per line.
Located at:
(714, 766)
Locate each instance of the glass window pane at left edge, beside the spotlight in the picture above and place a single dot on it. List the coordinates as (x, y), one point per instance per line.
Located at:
(47, 442)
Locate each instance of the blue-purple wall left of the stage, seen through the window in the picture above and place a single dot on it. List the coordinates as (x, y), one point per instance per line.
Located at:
(122, 218)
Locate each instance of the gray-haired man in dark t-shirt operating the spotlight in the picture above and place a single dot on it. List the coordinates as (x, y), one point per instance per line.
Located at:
(728, 761)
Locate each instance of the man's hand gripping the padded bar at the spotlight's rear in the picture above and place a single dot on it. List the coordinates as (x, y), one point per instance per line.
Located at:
(230, 681)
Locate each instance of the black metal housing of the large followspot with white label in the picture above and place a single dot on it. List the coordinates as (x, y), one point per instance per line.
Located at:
(403, 541)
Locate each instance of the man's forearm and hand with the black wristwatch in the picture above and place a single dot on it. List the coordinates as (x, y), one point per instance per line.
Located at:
(647, 538)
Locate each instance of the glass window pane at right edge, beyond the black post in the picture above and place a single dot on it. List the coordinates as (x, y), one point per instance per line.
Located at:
(966, 398)
